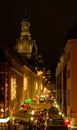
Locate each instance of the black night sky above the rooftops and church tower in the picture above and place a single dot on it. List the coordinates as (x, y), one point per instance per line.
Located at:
(51, 23)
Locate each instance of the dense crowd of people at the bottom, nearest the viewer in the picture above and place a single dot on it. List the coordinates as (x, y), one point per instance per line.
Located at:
(37, 123)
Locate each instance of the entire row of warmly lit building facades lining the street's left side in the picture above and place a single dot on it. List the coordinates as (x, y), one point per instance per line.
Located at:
(17, 83)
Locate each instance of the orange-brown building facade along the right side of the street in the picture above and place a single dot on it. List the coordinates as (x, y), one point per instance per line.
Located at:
(66, 82)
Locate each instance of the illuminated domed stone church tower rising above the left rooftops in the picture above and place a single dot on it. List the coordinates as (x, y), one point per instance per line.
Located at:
(24, 44)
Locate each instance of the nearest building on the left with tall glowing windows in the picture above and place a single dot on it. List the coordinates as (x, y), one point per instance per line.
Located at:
(10, 74)
